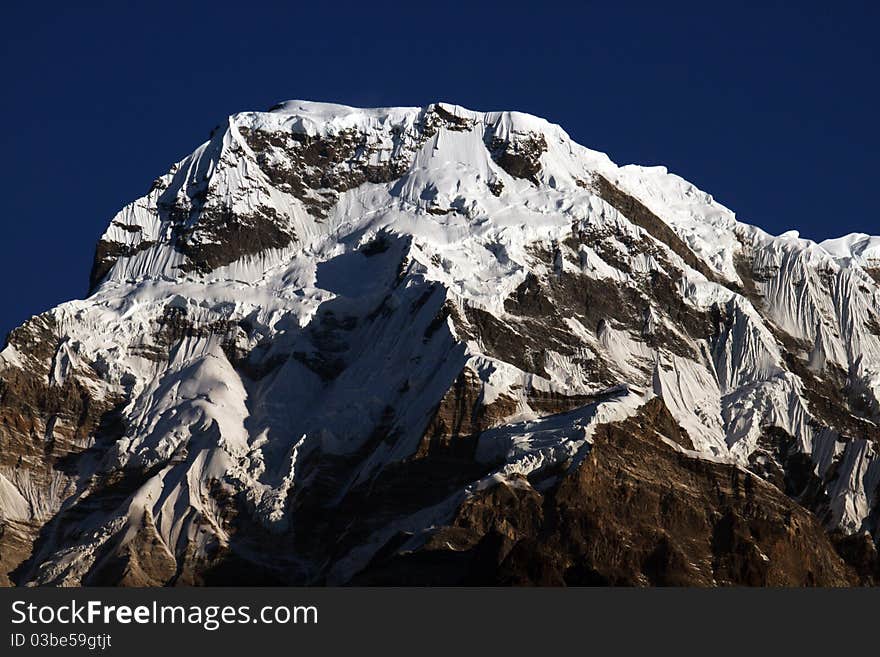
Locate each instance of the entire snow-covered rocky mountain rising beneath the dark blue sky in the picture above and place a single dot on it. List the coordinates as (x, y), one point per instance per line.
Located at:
(432, 345)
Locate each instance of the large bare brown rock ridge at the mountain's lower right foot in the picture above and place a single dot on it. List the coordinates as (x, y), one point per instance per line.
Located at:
(634, 512)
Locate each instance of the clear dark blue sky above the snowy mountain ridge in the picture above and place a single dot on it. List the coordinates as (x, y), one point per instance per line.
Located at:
(770, 106)
